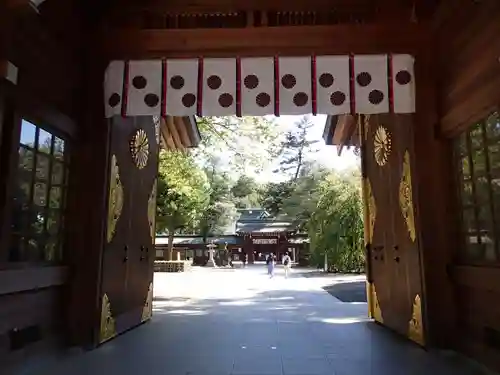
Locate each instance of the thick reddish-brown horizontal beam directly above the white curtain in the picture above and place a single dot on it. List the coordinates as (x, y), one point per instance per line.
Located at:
(264, 41)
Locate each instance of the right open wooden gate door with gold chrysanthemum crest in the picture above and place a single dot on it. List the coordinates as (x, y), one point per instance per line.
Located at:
(394, 284)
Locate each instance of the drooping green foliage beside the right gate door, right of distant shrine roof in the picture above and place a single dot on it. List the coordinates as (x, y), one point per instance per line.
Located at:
(327, 206)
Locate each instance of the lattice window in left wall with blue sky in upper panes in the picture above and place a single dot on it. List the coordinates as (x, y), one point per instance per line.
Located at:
(39, 197)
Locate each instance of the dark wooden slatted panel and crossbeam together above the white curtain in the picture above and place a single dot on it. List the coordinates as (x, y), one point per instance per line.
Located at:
(134, 29)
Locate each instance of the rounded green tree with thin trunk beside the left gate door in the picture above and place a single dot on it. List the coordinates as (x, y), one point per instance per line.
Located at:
(183, 193)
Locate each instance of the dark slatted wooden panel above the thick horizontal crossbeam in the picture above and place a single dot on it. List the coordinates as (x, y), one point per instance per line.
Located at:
(174, 14)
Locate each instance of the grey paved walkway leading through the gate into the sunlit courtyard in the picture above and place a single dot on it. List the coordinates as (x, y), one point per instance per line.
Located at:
(220, 322)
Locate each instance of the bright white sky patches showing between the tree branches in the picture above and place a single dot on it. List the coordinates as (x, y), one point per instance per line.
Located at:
(326, 156)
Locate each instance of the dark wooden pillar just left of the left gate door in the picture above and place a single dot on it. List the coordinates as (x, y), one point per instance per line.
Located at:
(86, 211)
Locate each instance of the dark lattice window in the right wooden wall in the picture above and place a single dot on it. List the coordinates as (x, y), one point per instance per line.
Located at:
(478, 160)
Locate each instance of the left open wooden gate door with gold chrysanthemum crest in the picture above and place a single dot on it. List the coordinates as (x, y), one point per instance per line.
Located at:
(128, 259)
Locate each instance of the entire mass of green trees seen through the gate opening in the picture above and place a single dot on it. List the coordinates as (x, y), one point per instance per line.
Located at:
(200, 192)
